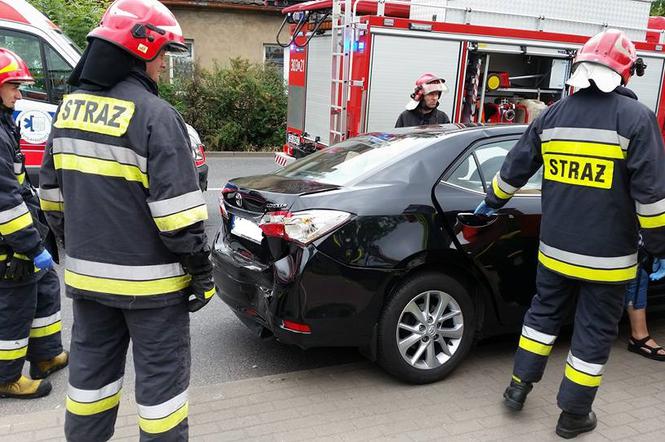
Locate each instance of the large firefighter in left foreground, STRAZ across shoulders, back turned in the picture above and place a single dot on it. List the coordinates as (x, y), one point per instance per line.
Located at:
(119, 183)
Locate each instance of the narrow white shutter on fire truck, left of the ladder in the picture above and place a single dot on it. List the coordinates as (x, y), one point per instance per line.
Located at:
(317, 102)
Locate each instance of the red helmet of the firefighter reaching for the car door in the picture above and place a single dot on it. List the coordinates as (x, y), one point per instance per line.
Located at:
(613, 49)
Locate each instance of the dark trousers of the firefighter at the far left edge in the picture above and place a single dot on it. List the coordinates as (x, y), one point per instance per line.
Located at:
(30, 325)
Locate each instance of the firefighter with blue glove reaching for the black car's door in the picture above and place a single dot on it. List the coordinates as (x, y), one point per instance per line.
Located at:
(603, 161)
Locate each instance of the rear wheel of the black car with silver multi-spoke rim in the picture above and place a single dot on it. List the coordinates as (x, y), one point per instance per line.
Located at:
(401, 335)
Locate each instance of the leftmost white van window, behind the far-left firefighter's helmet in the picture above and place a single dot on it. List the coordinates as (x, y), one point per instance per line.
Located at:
(28, 48)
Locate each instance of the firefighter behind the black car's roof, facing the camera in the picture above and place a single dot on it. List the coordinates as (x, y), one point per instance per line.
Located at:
(422, 110)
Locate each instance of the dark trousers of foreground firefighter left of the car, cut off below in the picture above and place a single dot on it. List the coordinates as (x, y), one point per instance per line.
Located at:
(161, 350)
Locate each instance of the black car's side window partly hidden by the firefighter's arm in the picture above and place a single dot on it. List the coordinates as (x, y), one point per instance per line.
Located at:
(488, 159)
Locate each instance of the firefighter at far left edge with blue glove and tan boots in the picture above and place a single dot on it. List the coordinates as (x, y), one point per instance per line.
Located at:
(29, 287)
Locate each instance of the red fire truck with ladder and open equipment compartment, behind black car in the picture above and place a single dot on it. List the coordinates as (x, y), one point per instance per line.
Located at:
(353, 63)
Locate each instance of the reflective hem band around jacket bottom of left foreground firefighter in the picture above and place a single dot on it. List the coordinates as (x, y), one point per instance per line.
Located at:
(117, 279)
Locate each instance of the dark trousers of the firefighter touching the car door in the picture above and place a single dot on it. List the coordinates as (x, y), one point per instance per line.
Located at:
(597, 314)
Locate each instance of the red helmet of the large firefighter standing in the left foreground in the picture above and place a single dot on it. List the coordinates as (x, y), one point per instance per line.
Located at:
(141, 27)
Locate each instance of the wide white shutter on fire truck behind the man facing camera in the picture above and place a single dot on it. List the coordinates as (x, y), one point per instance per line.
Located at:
(397, 62)
